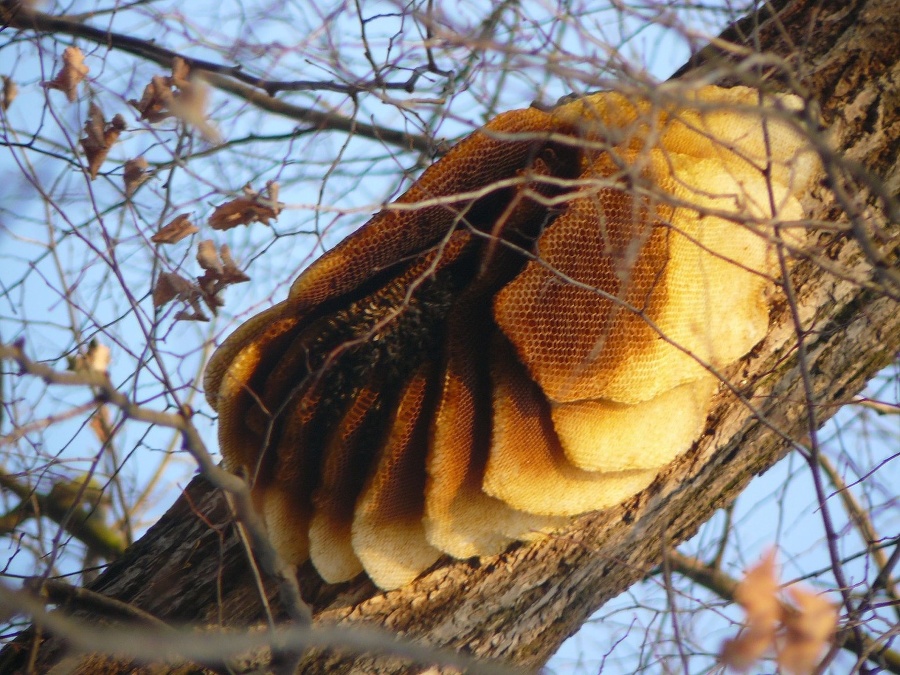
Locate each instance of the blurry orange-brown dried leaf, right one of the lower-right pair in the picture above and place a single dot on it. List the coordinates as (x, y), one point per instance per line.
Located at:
(809, 630)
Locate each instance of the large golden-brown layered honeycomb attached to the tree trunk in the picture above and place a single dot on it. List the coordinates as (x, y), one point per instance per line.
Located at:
(530, 332)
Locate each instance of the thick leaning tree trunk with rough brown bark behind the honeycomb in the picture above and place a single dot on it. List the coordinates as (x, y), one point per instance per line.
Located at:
(520, 606)
